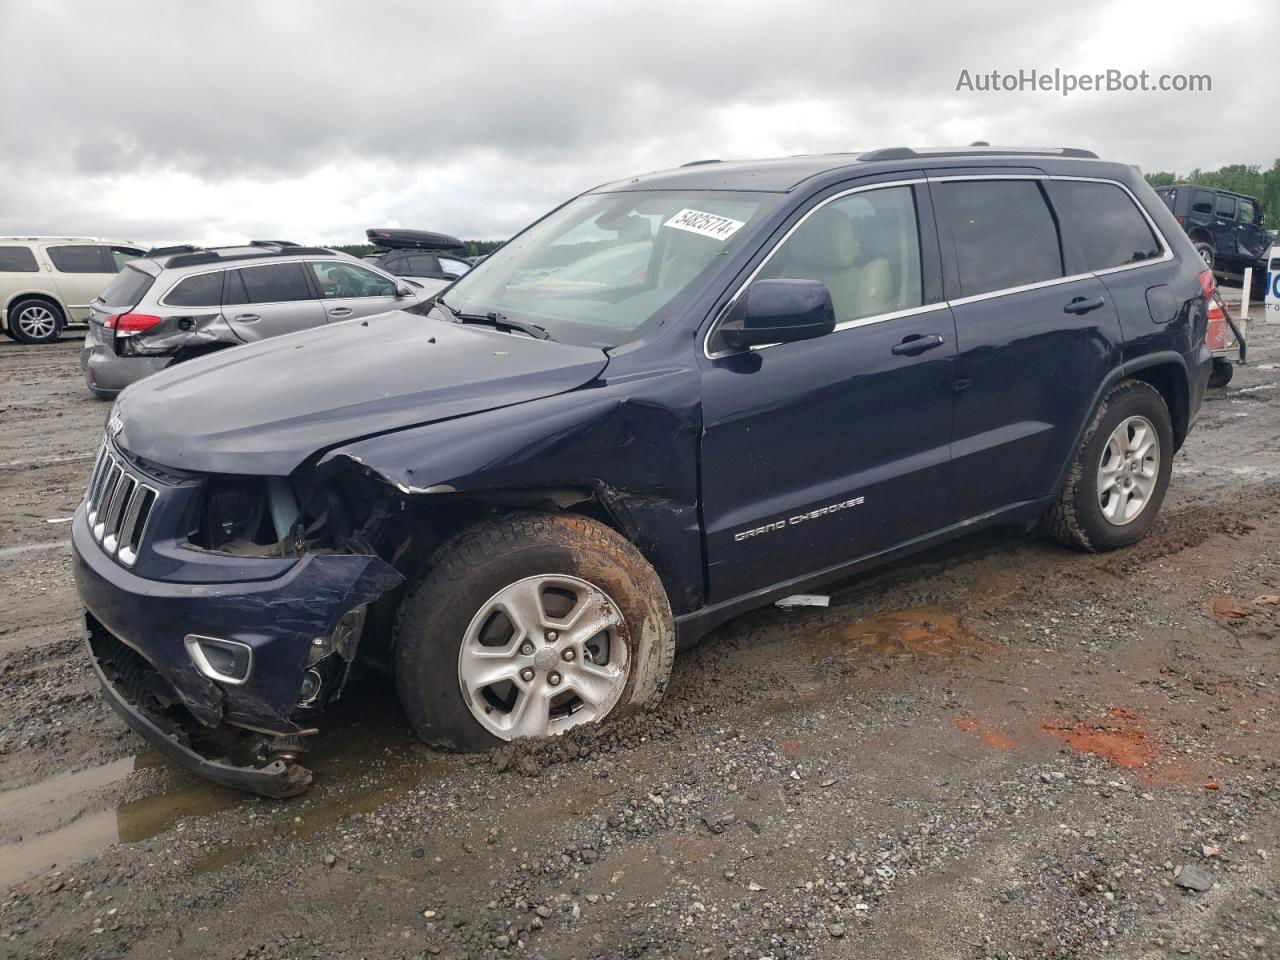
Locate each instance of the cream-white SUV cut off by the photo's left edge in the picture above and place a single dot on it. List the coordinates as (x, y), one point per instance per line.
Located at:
(48, 284)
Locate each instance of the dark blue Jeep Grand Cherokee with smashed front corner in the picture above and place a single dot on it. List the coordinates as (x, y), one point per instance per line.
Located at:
(671, 400)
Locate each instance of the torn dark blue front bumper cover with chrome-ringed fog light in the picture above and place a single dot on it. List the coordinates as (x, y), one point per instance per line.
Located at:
(138, 637)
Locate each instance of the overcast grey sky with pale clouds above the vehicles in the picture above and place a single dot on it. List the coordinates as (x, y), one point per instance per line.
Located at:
(220, 122)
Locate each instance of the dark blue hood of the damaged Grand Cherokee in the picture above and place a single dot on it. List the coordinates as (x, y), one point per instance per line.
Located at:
(266, 408)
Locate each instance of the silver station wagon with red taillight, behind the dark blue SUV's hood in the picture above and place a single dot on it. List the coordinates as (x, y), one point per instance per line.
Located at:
(181, 303)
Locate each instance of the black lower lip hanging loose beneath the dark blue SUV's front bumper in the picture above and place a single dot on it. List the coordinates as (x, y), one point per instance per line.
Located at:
(278, 779)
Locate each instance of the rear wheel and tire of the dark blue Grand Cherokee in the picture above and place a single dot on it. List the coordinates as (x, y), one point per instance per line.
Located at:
(1121, 474)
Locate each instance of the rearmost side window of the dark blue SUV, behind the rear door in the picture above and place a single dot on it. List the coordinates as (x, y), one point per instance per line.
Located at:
(1107, 226)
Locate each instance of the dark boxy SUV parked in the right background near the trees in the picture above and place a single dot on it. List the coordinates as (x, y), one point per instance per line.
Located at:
(1227, 230)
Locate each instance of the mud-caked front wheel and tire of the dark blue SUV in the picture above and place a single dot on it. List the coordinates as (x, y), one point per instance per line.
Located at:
(528, 625)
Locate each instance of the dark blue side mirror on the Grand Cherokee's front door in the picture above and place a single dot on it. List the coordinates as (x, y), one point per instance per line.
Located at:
(779, 312)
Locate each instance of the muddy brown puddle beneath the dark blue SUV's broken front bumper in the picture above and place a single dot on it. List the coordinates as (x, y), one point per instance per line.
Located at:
(367, 758)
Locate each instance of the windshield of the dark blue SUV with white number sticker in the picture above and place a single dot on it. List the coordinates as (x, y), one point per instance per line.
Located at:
(600, 269)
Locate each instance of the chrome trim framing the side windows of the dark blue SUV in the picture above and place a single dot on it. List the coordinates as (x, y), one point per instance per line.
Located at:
(959, 301)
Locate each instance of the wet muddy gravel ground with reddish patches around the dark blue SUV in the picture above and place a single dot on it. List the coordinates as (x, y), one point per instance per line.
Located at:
(1000, 749)
